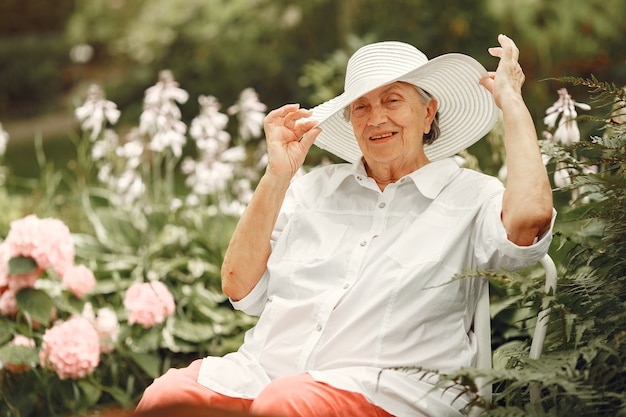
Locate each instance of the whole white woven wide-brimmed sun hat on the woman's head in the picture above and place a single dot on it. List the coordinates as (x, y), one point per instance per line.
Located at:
(467, 111)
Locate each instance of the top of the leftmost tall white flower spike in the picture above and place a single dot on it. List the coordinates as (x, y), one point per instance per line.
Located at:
(96, 112)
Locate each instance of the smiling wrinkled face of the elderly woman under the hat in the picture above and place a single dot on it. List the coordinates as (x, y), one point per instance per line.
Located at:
(389, 124)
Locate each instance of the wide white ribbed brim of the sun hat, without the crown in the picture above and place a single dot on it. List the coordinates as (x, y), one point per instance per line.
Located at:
(467, 111)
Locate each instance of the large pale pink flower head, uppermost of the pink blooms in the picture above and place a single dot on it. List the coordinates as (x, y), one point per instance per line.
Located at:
(47, 241)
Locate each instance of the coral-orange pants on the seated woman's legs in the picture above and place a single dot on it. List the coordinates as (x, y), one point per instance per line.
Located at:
(290, 396)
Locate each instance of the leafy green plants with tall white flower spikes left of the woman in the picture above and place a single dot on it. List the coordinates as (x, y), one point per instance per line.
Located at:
(158, 227)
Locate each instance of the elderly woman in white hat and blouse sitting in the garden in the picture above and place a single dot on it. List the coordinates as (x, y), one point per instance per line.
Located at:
(350, 268)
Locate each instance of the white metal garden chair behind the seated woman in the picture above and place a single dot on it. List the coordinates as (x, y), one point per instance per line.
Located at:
(482, 330)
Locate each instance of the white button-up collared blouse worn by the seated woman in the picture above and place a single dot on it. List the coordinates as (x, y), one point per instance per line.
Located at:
(361, 281)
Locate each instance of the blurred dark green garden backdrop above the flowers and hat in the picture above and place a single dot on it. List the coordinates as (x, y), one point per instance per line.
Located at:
(50, 51)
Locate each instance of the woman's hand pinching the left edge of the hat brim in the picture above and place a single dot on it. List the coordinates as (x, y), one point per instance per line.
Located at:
(288, 140)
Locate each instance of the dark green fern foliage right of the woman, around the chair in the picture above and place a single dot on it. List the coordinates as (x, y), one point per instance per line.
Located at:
(583, 368)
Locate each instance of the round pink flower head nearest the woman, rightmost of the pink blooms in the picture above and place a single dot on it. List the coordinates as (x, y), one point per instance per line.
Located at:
(148, 303)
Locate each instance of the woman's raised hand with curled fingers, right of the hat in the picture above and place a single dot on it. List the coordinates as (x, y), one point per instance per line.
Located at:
(508, 77)
